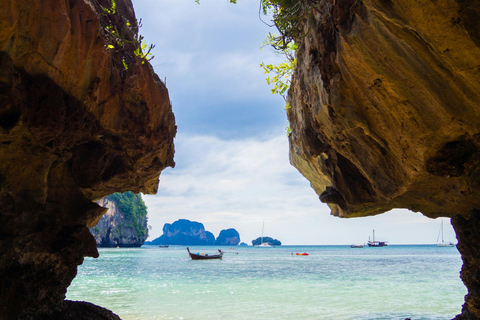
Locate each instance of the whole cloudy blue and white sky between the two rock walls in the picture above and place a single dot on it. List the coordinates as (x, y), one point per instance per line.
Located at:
(231, 149)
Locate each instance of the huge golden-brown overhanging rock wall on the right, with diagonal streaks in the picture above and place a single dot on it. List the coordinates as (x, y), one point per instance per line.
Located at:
(385, 112)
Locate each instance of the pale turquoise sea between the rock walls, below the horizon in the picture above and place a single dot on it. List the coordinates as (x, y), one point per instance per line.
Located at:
(420, 282)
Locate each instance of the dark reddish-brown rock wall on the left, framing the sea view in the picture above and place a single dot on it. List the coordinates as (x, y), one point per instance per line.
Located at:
(81, 117)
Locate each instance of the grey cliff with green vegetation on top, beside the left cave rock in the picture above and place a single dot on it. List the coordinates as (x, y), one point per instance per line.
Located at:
(125, 222)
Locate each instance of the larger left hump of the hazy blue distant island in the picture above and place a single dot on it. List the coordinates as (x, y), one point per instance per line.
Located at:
(184, 232)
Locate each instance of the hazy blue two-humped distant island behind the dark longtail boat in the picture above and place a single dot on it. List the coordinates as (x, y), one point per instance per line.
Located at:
(186, 232)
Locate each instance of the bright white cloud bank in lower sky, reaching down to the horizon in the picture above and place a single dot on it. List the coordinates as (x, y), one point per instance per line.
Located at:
(241, 183)
